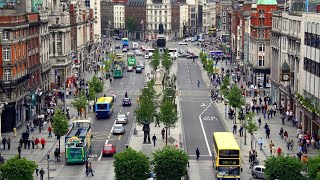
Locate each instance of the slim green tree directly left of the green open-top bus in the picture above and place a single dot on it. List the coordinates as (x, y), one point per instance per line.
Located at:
(59, 124)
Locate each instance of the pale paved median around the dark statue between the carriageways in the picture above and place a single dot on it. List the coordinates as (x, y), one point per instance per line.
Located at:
(174, 134)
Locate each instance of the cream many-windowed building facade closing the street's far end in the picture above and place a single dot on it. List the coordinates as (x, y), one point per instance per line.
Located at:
(158, 12)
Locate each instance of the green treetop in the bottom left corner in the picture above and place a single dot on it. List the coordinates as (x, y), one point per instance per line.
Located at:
(18, 169)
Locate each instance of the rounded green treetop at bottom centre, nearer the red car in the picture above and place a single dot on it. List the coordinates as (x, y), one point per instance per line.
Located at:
(131, 164)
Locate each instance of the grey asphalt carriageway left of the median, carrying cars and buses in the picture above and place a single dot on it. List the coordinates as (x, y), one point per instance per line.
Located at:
(102, 128)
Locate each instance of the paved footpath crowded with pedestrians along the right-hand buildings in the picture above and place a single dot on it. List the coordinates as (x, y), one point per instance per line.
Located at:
(275, 123)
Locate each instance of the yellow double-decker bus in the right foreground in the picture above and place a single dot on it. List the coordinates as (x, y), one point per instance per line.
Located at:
(226, 156)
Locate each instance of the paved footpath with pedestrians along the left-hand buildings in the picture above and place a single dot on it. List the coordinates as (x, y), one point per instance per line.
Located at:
(40, 155)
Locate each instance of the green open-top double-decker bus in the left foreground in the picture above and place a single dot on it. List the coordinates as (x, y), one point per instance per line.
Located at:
(78, 142)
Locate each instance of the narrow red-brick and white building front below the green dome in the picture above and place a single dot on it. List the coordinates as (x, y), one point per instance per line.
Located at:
(261, 25)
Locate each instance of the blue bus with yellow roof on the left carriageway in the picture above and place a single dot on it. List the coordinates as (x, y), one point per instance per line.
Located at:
(104, 107)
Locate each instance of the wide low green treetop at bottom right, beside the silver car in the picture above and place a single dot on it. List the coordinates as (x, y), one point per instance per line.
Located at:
(283, 168)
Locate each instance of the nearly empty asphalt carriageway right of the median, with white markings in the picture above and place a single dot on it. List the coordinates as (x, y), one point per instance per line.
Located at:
(199, 114)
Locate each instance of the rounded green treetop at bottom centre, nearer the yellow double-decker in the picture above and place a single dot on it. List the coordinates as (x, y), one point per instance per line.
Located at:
(170, 163)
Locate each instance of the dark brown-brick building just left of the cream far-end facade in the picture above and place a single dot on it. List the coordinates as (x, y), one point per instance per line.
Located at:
(132, 7)
